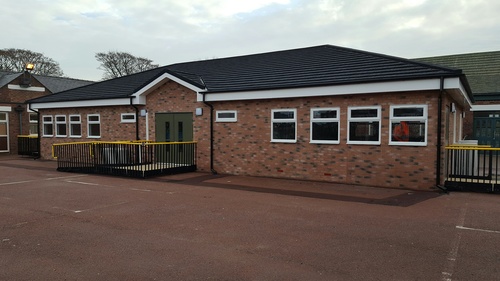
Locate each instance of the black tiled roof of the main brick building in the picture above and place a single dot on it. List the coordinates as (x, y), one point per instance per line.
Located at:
(306, 67)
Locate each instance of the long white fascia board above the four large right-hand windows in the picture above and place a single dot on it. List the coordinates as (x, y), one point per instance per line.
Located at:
(362, 88)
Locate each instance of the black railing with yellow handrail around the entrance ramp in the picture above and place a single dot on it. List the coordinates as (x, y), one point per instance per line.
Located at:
(135, 159)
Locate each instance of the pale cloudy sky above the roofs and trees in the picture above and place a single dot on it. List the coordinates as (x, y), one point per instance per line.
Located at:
(173, 31)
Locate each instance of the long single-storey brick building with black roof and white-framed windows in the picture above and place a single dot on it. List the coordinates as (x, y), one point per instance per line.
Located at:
(322, 113)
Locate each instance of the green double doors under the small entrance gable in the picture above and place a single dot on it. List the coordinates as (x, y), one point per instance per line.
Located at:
(175, 127)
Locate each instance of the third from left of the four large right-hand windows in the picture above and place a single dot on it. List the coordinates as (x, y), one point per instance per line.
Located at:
(364, 125)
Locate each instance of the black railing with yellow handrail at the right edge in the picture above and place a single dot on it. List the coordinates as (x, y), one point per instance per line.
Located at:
(472, 168)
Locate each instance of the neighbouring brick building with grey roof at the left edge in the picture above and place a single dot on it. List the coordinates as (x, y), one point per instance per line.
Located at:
(15, 117)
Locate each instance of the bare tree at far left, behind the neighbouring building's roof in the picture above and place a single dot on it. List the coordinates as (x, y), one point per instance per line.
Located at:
(15, 60)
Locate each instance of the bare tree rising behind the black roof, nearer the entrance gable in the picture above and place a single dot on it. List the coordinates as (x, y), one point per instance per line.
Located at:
(118, 64)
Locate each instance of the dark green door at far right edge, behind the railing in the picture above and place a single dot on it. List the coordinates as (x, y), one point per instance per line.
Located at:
(487, 130)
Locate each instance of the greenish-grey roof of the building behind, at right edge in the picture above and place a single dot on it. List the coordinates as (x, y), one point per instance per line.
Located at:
(482, 69)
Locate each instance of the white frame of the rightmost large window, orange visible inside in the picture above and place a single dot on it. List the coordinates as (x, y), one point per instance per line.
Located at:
(397, 119)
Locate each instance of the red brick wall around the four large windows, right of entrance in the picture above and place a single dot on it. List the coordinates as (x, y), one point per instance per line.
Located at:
(244, 147)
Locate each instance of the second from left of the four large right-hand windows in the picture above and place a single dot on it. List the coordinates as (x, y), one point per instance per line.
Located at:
(325, 125)
